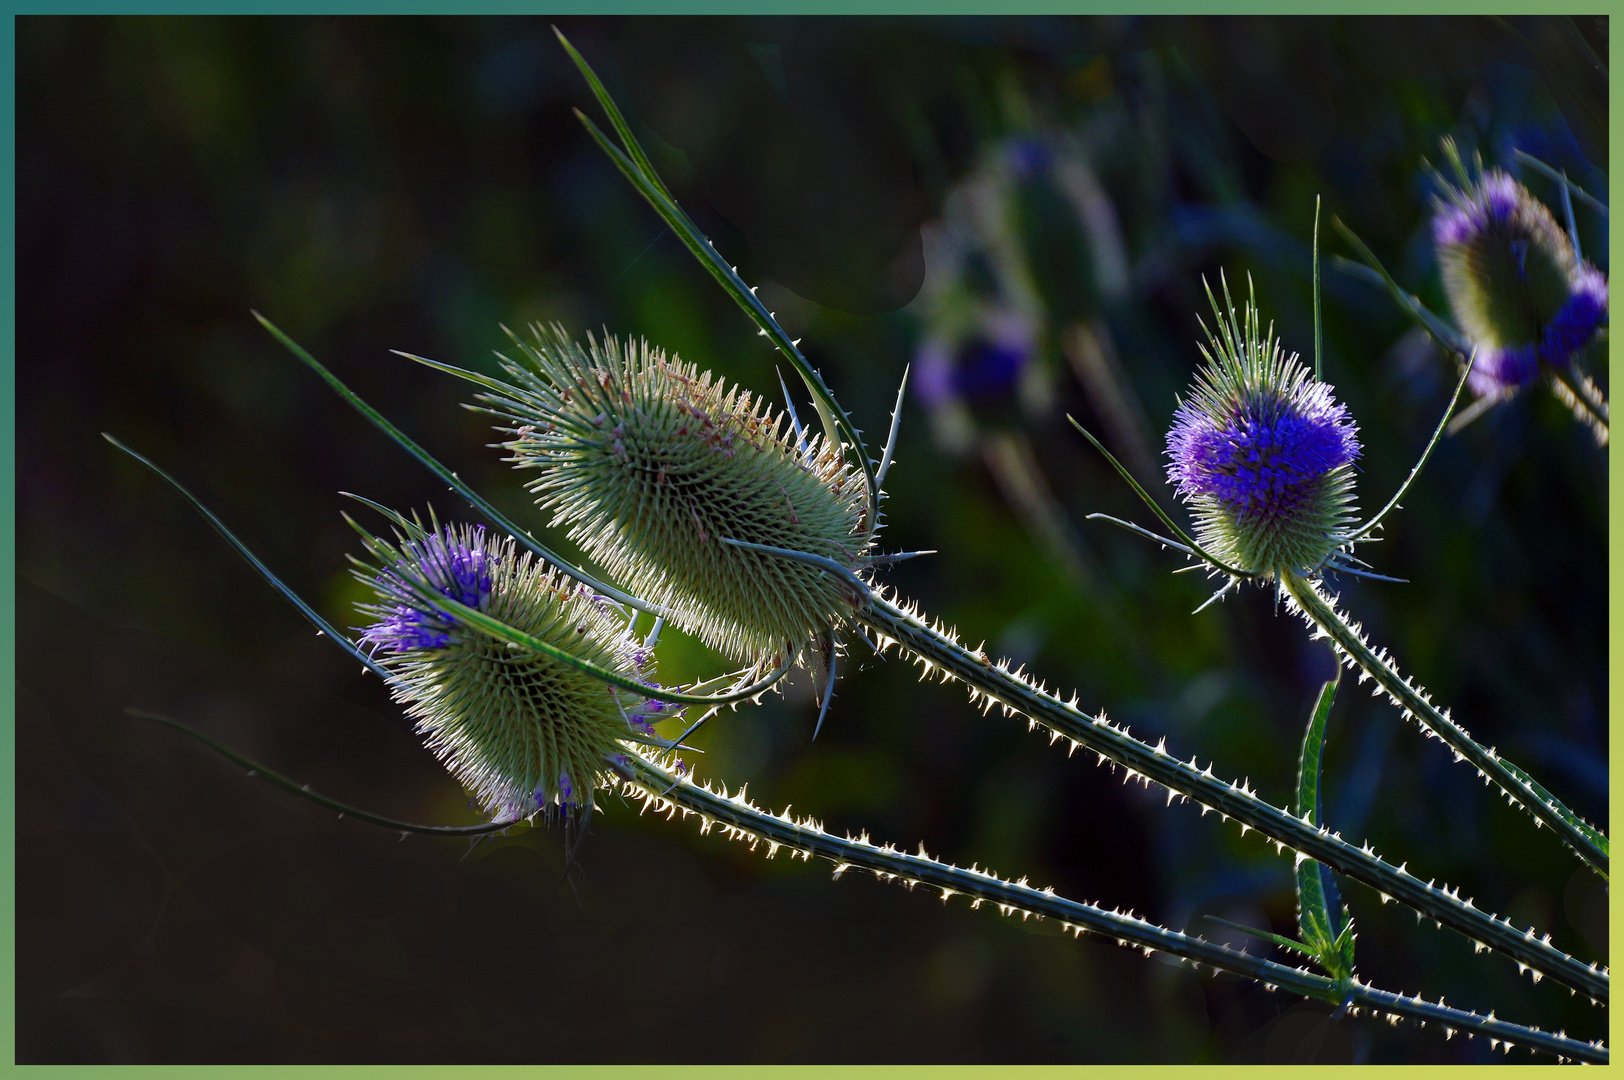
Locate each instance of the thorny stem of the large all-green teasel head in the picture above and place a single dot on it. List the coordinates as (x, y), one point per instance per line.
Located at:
(1000, 686)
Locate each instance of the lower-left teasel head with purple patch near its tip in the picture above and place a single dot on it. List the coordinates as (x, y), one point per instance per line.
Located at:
(522, 730)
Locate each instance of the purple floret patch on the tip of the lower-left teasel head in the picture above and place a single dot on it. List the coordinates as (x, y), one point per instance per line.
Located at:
(457, 566)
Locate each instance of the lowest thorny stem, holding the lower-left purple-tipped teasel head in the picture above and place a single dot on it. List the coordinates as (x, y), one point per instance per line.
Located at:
(662, 790)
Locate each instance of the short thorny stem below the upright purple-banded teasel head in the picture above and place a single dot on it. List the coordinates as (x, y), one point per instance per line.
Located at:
(1321, 613)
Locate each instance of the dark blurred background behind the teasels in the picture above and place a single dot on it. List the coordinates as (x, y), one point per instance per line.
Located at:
(1024, 210)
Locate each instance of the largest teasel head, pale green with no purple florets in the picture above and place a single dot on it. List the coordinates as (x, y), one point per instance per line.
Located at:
(652, 464)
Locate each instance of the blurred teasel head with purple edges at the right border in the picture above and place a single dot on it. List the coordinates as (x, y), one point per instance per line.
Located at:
(1514, 282)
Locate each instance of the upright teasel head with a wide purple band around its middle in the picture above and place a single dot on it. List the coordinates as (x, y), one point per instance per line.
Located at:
(1263, 452)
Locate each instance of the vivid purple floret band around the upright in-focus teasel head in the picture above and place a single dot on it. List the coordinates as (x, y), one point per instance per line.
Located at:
(1263, 460)
